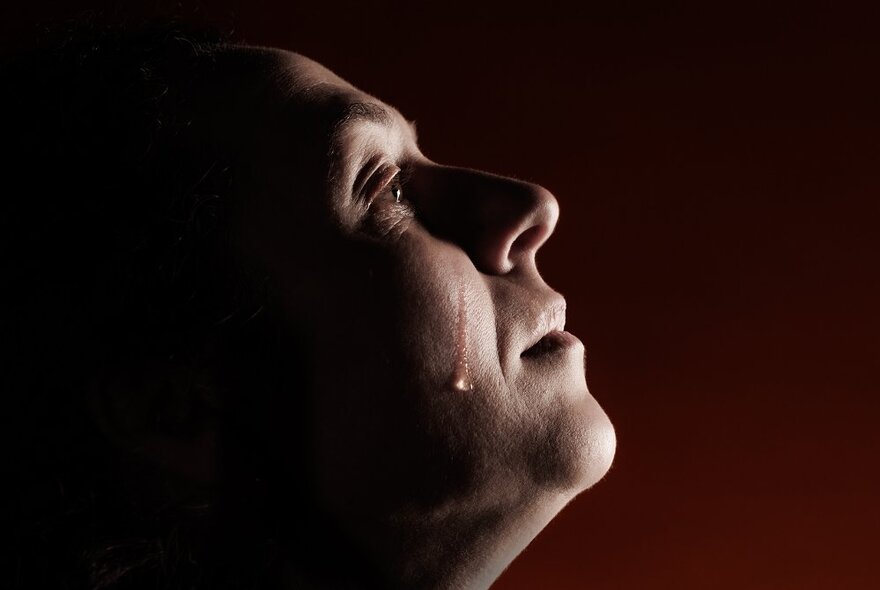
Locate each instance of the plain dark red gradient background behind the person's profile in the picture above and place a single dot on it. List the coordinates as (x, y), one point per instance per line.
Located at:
(717, 170)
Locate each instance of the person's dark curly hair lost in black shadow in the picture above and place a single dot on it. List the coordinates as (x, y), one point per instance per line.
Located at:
(115, 248)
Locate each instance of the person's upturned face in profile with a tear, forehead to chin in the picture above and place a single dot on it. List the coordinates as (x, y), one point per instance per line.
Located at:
(442, 380)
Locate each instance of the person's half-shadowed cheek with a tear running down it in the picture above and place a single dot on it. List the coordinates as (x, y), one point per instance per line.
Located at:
(388, 412)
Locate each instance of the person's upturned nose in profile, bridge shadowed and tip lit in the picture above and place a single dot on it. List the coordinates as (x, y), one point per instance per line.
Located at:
(500, 222)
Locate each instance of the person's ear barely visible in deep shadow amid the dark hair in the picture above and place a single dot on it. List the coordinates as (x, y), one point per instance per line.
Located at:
(162, 411)
